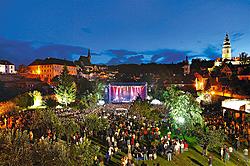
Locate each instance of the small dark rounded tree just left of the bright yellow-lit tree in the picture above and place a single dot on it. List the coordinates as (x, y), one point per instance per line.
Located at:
(24, 100)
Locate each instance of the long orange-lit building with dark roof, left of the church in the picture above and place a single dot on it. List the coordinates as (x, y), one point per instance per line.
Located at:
(49, 68)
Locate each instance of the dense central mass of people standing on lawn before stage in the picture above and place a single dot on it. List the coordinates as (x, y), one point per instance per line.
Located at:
(138, 138)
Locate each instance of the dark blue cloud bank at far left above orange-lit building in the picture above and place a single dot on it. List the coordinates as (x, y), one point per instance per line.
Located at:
(23, 52)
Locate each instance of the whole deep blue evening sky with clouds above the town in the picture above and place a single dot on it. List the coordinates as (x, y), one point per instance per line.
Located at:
(122, 31)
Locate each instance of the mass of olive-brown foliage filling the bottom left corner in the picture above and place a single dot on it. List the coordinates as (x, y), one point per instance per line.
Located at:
(15, 150)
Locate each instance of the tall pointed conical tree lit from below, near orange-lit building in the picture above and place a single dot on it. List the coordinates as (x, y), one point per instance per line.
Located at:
(66, 89)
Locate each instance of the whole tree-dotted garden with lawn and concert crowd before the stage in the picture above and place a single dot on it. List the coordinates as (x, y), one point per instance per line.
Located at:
(70, 128)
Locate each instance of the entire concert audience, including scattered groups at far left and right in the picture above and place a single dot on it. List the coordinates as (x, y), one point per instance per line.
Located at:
(136, 136)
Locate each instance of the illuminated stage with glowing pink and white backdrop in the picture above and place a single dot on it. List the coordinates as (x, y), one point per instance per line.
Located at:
(126, 92)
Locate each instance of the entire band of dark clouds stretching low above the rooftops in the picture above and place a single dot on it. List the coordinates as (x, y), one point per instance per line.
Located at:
(24, 52)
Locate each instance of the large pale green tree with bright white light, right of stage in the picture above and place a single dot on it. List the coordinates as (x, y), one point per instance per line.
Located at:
(185, 111)
